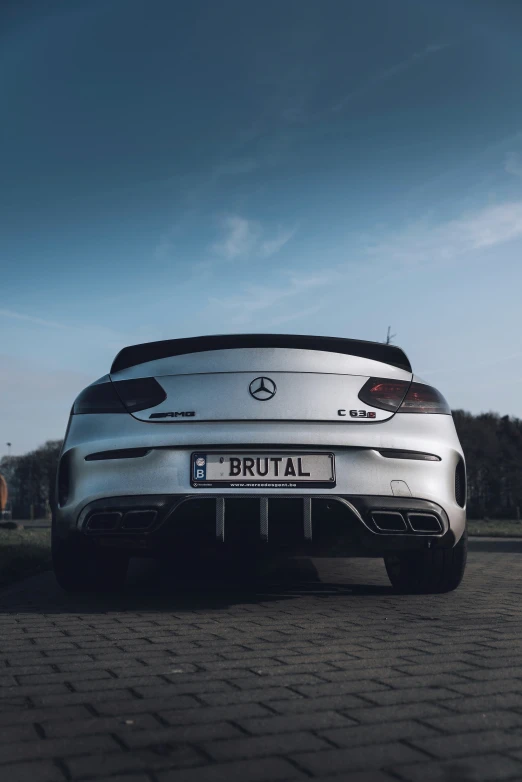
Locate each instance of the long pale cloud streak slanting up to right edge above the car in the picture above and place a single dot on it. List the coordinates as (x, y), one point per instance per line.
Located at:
(422, 243)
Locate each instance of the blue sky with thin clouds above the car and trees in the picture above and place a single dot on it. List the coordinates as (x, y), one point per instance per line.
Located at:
(171, 169)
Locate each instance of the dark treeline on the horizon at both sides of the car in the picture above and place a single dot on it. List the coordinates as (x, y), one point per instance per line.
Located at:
(492, 445)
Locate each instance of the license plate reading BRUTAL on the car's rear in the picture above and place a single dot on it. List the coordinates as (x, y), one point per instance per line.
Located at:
(262, 470)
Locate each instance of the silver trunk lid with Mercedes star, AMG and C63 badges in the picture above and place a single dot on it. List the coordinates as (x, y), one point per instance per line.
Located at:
(261, 383)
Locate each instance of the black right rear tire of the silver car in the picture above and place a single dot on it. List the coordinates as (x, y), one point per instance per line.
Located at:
(428, 572)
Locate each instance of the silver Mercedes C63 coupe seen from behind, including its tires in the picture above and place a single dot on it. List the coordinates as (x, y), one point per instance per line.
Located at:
(241, 444)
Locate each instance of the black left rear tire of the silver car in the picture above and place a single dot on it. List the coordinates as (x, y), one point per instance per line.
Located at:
(81, 568)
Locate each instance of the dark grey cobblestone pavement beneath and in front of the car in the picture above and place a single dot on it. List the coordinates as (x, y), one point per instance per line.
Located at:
(315, 672)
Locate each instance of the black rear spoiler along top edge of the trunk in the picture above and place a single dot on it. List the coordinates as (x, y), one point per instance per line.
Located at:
(151, 351)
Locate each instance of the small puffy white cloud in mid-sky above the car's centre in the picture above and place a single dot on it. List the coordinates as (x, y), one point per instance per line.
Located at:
(243, 238)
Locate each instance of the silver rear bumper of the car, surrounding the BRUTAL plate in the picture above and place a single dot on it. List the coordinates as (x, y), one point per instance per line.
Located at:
(378, 470)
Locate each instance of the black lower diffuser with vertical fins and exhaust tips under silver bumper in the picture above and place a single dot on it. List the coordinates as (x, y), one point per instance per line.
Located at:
(314, 525)
